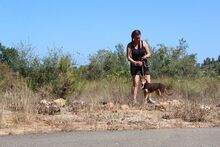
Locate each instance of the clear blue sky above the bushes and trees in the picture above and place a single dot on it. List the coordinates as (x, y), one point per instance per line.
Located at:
(84, 26)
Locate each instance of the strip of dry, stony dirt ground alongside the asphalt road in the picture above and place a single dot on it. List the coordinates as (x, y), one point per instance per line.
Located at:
(109, 116)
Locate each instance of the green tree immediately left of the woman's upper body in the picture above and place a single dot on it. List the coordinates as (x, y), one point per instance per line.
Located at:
(107, 62)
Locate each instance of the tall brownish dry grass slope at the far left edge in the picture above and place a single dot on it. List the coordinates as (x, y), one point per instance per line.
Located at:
(14, 93)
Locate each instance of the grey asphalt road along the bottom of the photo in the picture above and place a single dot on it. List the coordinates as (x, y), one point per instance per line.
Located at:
(207, 137)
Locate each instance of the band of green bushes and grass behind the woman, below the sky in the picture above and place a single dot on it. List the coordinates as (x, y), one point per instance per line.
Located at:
(57, 74)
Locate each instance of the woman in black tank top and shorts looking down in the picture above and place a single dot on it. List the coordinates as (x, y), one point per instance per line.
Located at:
(138, 53)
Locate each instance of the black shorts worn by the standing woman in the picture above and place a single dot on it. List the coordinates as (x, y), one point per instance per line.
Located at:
(139, 70)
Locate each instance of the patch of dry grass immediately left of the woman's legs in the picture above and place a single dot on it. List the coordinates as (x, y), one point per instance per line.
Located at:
(106, 90)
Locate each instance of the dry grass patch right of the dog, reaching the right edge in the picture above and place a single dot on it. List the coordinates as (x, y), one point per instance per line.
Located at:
(202, 90)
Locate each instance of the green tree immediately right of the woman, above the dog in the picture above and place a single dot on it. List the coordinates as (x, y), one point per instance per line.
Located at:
(173, 62)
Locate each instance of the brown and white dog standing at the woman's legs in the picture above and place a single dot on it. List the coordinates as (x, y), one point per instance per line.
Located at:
(158, 88)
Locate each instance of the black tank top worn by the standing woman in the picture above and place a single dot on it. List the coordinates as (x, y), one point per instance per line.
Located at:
(137, 54)
